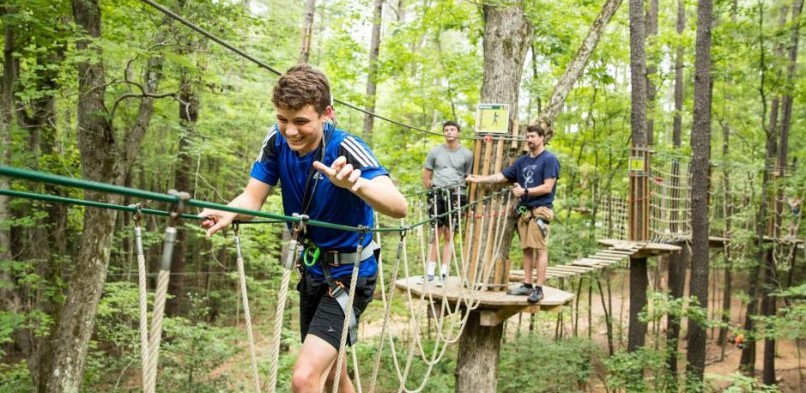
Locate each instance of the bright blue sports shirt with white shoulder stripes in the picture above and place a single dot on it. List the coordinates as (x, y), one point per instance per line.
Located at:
(328, 203)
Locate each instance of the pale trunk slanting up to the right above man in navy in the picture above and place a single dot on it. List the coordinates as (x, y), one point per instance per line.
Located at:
(580, 59)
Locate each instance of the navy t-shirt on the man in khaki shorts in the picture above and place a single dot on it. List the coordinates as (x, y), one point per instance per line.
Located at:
(532, 172)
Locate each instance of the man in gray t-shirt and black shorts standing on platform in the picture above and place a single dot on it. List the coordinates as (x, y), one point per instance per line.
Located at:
(444, 173)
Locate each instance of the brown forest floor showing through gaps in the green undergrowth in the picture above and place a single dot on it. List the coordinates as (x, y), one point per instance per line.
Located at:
(790, 368)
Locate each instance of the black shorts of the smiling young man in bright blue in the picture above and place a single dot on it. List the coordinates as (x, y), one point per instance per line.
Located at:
(321, 315)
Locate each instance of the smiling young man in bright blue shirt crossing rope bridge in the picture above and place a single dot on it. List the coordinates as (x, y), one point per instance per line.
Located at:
(330, 176)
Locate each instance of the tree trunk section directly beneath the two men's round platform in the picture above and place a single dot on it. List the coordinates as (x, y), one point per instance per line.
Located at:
(477, 362)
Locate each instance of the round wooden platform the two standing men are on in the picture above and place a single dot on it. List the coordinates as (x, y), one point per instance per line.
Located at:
(494, 306)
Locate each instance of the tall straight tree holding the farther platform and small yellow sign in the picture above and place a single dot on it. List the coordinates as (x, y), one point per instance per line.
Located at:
(639, 281)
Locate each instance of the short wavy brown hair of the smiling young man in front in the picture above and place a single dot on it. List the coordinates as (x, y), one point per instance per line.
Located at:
(300, 86)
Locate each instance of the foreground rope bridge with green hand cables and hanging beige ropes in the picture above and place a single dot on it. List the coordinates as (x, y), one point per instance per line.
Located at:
(451, 316)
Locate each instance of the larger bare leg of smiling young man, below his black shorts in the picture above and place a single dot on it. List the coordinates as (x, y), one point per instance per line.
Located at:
(315, 360)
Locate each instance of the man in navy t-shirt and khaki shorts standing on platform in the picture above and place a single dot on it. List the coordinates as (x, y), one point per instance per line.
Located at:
(535, 176)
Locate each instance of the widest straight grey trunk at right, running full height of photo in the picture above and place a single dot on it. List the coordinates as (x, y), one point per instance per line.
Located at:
(700, 167)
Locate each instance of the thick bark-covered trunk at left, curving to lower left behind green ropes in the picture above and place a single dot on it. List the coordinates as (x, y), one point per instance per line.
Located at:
(96, 145)
